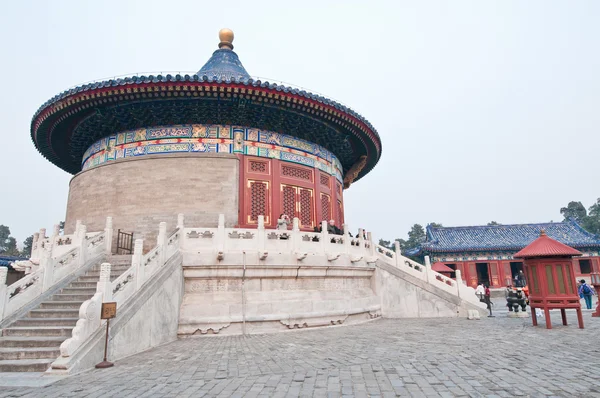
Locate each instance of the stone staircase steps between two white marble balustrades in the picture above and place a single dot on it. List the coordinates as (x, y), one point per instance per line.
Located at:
(32, 343)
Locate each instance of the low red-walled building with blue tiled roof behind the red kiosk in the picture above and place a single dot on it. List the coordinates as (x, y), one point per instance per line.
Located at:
(484, 254)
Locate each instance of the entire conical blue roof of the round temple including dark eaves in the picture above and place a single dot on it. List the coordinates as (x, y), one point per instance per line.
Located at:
(221, 92)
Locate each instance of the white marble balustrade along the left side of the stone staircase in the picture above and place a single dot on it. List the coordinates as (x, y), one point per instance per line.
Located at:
(53, 260)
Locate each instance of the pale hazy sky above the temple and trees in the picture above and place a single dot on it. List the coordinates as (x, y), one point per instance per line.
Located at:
(488, 110)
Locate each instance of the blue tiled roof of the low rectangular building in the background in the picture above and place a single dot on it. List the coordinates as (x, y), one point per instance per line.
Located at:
(503, 237)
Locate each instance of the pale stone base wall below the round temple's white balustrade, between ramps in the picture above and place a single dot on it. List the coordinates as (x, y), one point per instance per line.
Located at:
(260, 299)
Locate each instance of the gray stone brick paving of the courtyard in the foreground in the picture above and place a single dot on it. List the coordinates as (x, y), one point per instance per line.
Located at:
(493, 357)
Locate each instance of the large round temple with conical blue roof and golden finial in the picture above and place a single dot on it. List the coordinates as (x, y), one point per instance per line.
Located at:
(145, 148)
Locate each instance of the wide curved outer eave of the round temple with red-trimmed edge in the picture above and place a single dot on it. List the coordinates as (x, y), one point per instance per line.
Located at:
(75, 105)
